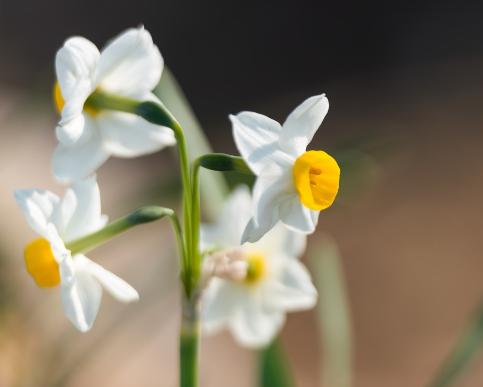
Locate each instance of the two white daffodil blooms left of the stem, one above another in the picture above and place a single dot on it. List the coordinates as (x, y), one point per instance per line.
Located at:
(130, 65)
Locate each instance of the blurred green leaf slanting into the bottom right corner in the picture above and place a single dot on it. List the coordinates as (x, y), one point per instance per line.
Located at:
(468, 346)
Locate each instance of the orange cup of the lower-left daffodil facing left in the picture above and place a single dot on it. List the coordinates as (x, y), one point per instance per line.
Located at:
(41, 263)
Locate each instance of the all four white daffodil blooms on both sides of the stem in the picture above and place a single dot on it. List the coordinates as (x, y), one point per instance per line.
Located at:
(252, 274)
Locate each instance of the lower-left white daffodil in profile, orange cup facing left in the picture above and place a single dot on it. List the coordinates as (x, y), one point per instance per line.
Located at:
(50, 263)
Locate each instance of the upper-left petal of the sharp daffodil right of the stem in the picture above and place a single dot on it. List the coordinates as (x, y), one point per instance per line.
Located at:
(256, 137)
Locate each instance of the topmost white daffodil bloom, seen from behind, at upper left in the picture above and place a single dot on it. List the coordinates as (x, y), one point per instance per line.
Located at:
(129, 66)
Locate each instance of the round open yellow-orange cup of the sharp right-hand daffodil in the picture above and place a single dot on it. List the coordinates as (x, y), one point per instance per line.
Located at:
(316, 178)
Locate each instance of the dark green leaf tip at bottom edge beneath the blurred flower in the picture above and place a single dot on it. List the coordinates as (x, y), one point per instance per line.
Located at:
(274, 368)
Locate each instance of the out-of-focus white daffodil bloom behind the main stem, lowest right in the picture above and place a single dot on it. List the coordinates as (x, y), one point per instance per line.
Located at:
(253, 285)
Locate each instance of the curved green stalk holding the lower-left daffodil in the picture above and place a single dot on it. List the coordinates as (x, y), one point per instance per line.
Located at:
(140, 216)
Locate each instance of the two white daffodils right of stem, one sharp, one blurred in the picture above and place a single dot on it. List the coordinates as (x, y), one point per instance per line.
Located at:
(268, 232)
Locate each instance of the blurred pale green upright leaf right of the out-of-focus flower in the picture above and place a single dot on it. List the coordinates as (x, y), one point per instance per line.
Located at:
(333, 314)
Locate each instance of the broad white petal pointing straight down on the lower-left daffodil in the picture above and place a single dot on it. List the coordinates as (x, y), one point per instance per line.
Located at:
(81, 298)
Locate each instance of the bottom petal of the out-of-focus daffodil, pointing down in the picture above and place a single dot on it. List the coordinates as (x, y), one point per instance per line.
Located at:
(255, 327)
